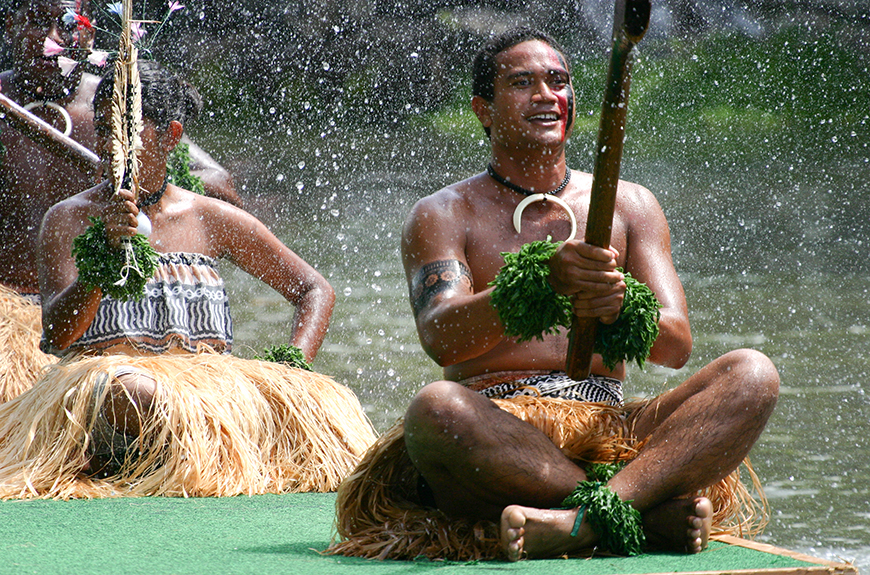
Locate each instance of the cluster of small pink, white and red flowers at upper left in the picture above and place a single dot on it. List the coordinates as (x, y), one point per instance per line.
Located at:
(99, 58)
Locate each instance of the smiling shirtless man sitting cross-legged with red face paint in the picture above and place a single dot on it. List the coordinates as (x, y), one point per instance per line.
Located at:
(481, 462)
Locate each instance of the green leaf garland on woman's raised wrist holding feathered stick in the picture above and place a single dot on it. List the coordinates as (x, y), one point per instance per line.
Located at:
(101, 265)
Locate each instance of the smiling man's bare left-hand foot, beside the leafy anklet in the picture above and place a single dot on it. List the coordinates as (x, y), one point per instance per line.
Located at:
(528, 532)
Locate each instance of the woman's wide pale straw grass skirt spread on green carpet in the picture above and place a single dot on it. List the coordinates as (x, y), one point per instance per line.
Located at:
(219, 426)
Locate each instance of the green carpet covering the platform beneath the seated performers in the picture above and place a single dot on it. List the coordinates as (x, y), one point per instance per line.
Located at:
(266, 534)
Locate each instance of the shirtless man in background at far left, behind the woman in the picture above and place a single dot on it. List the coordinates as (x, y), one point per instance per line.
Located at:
(31, 178)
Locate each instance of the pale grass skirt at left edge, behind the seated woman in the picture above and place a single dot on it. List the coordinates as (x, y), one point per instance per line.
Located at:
(21, 362)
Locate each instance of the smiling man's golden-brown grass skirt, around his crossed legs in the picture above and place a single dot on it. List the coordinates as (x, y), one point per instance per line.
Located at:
(379, 515)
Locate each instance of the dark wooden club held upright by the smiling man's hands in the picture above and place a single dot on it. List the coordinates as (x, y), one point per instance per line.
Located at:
(630, 22)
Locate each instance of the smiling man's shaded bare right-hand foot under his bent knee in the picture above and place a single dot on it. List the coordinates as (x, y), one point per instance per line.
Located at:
(679, 525)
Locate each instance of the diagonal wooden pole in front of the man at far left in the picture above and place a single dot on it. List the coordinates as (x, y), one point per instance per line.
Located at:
(49, 137)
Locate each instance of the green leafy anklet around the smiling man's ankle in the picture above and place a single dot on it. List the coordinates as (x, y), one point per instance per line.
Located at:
(617, 524)
